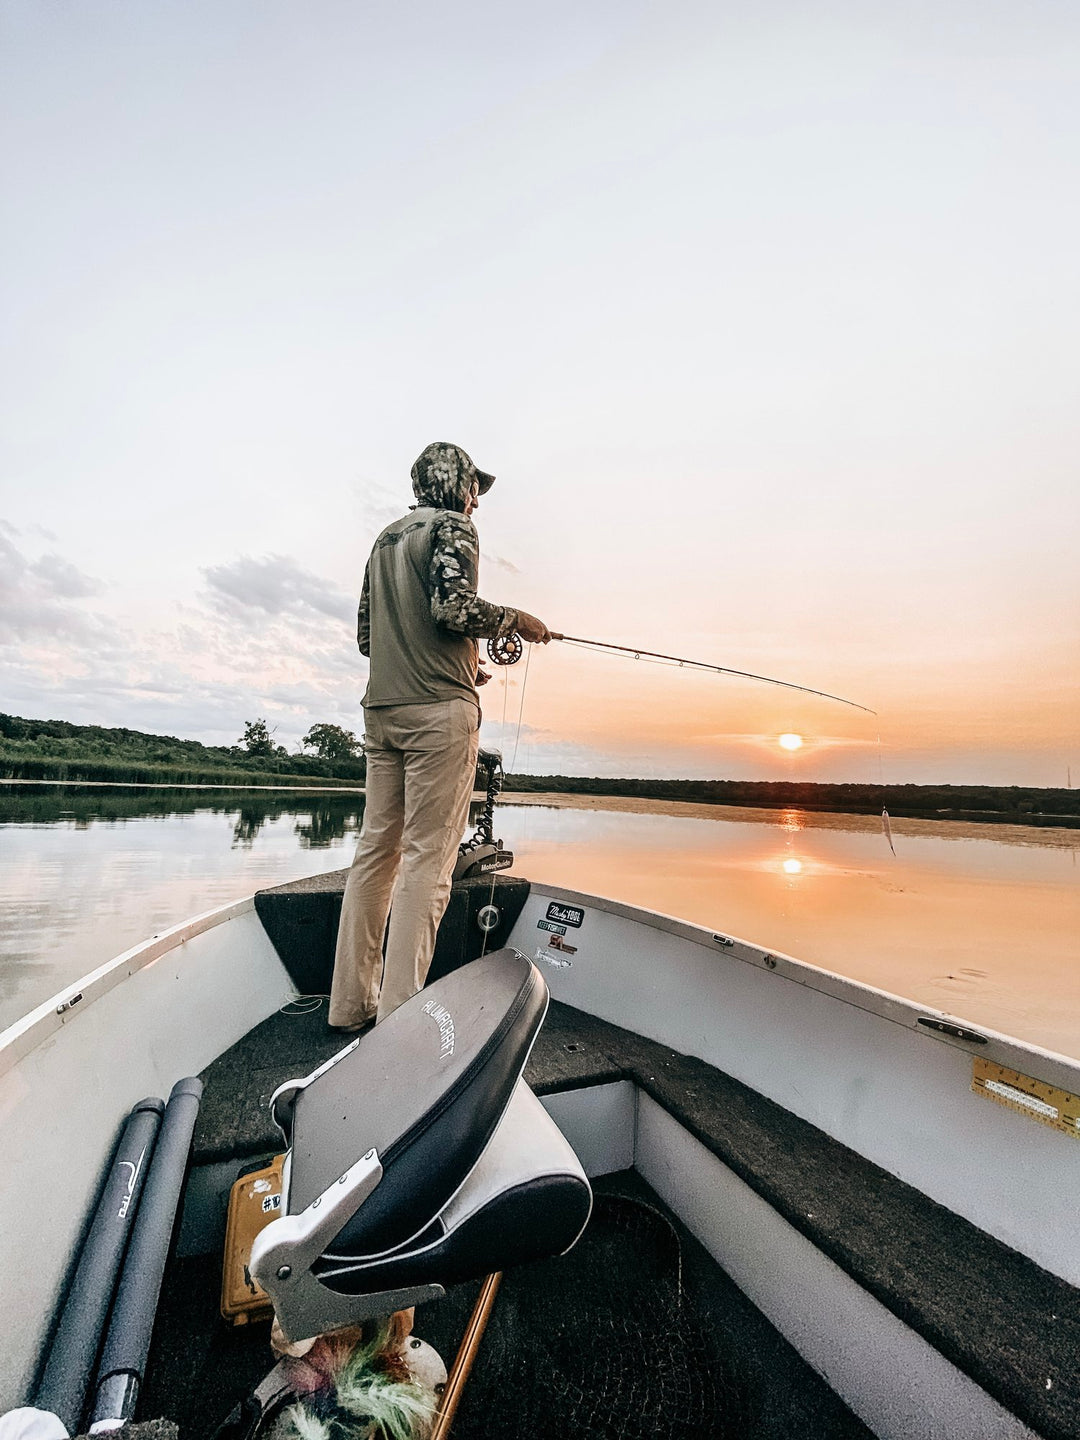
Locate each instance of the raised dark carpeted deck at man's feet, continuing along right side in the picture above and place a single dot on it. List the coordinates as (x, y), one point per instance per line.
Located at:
(937, 1272)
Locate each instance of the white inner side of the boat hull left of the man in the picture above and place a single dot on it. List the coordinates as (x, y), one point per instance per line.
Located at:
(70, 1074)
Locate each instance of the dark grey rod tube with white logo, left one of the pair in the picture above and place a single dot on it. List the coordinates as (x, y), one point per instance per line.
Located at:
(70, 1369)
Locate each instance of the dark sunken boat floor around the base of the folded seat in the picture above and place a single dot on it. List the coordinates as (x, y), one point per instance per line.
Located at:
(558, 1347)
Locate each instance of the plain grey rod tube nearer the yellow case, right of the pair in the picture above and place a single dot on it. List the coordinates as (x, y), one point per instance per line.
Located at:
(132, 1324)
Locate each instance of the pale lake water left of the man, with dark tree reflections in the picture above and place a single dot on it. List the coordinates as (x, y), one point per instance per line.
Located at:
(87, 872)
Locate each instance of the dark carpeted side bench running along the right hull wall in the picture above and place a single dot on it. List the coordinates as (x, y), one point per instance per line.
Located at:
(997, 1315)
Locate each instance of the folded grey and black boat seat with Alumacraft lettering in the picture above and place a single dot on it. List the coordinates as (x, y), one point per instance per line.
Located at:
(384, 1138)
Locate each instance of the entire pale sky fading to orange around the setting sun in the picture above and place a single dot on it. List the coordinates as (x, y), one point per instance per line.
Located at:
(765, 316)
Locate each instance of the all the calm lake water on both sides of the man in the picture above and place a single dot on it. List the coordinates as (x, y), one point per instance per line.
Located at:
(980, 921)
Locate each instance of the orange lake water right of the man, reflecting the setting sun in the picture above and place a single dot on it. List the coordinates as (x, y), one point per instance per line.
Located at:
(978, 921)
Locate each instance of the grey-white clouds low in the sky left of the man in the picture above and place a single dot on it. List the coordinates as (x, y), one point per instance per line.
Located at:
(266, 639)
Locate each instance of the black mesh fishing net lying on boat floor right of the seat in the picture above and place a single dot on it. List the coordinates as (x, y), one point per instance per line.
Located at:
(600, 1344)
